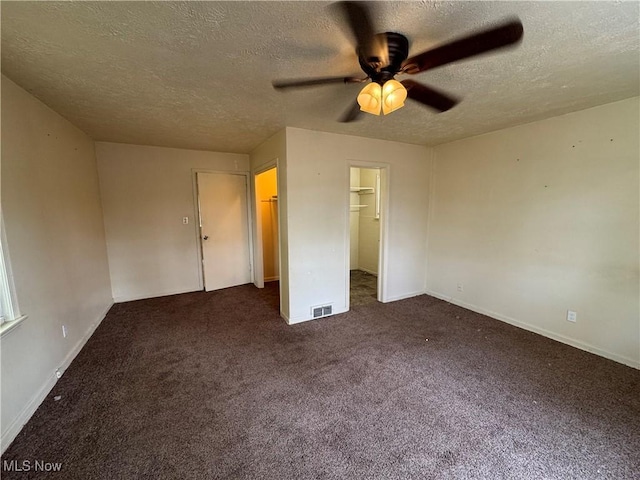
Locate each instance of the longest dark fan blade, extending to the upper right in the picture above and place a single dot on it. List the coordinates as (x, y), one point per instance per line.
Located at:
(475, 44)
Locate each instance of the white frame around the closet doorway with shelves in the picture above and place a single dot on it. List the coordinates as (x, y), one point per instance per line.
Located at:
(385, 176)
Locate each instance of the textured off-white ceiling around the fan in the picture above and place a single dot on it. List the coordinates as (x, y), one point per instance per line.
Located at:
(198, 74)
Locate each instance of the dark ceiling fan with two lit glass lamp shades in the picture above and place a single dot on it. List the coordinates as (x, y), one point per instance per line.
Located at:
(382, 56)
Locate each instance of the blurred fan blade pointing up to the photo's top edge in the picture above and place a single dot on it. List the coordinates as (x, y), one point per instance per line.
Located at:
(358, 16)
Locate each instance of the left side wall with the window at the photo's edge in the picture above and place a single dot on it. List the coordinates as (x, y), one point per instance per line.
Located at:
(55, 234)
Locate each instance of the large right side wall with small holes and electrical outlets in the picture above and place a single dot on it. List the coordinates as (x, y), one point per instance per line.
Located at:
(543, 218)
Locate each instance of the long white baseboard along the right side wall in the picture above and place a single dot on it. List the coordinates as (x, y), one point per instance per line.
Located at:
(541, 331)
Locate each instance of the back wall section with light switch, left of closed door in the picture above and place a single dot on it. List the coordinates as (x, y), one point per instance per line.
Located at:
(146, 192)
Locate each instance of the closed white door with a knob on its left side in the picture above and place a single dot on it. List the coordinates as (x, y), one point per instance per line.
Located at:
(224, 229)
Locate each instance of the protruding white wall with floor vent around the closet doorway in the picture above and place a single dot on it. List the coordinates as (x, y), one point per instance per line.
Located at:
(317, 177)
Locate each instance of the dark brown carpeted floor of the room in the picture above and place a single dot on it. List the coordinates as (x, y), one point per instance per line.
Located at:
(216, 385)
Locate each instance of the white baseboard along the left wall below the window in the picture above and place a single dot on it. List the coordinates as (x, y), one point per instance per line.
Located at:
(12, 431)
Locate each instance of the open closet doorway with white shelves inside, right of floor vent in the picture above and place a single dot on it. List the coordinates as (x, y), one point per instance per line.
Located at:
(364, 235)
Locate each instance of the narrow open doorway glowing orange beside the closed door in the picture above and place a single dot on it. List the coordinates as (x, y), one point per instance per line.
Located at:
(268, 270)
